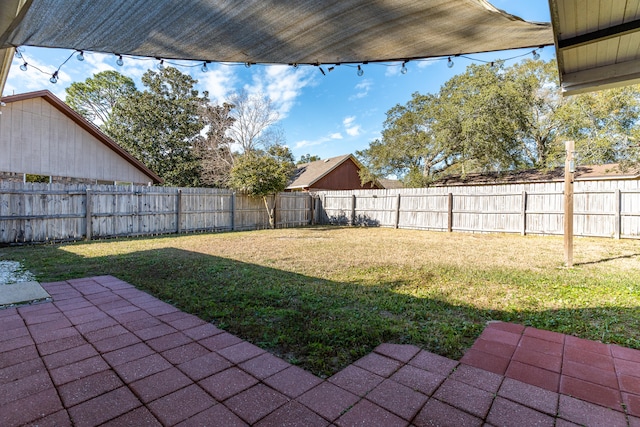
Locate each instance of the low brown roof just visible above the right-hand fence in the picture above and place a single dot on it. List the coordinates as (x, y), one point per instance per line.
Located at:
(583, 173)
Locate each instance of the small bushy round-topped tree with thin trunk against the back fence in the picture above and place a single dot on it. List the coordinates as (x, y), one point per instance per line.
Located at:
(263, 174)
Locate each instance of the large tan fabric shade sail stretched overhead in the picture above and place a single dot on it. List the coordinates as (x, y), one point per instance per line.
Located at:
(269, 31)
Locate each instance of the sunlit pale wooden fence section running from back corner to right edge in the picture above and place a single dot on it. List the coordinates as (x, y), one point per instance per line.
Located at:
(525, 209)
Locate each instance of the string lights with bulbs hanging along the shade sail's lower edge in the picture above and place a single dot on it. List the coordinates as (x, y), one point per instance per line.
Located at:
(204, 65)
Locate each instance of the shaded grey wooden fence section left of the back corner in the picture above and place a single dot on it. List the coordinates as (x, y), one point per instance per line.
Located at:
(58, 212)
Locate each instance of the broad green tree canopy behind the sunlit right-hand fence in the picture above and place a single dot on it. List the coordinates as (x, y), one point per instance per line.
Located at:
(493, 118)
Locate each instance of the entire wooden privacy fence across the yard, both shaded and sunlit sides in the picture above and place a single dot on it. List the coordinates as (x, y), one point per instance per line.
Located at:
(58, 212)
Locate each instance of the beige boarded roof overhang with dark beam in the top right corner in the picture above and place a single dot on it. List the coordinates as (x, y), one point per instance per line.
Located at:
(597, 43)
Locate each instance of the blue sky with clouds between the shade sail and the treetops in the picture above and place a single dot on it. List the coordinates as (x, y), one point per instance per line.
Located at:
(321, 115)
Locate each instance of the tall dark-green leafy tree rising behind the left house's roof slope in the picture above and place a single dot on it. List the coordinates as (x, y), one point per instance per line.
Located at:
(161, 126)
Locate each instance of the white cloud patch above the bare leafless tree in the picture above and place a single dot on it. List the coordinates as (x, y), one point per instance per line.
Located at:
(283, 84)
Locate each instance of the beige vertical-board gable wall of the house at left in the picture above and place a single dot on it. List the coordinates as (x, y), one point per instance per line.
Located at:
(37, 138)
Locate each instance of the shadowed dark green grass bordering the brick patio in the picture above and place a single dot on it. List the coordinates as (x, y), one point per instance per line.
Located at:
(320, 324)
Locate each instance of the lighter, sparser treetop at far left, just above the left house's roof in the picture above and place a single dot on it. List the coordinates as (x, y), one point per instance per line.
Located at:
(96, 97)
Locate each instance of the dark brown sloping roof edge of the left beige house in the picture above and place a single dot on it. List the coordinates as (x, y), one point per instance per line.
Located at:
(87, 126)
